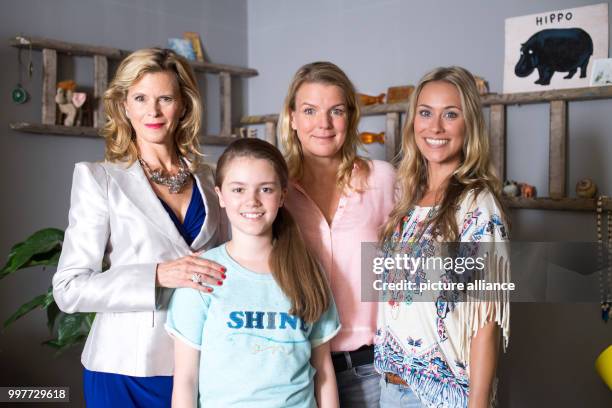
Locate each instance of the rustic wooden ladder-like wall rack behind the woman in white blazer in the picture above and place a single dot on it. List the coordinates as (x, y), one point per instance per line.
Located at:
(101, 55)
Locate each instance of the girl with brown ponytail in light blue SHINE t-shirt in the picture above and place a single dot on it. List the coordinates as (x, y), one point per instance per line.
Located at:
(258, 340)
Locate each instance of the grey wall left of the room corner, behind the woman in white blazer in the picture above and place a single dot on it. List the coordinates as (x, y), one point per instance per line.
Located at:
(36, 170)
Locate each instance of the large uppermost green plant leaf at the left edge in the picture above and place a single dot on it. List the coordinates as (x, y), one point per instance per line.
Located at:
(40, 248)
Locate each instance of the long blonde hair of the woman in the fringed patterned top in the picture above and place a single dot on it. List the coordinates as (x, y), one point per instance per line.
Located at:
(474, 173)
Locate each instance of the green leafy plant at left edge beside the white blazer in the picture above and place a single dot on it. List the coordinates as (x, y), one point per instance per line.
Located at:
(43, 248)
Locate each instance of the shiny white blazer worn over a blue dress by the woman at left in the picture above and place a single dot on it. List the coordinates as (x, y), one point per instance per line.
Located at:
(116, 217)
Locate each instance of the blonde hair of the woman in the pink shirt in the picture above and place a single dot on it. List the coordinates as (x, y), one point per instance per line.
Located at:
(326, 73)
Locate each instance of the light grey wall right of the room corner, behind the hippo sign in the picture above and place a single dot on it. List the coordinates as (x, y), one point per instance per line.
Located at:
(381, 43)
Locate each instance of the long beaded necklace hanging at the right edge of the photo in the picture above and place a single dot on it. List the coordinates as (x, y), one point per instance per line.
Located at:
(605, 274)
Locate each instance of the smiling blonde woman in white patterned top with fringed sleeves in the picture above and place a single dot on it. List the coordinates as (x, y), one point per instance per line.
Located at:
(443, 353)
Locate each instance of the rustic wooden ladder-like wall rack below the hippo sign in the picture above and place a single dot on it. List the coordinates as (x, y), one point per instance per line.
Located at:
(557, 166)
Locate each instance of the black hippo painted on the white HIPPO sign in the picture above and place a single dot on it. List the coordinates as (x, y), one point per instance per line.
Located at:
(560, 49)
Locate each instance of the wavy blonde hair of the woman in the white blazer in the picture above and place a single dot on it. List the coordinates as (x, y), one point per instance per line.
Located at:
(119, 133)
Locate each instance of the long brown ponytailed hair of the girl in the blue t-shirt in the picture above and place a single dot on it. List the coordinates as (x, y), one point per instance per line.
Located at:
(295, 270)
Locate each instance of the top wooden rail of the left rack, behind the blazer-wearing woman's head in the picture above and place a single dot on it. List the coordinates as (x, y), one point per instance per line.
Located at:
(76, 49)
